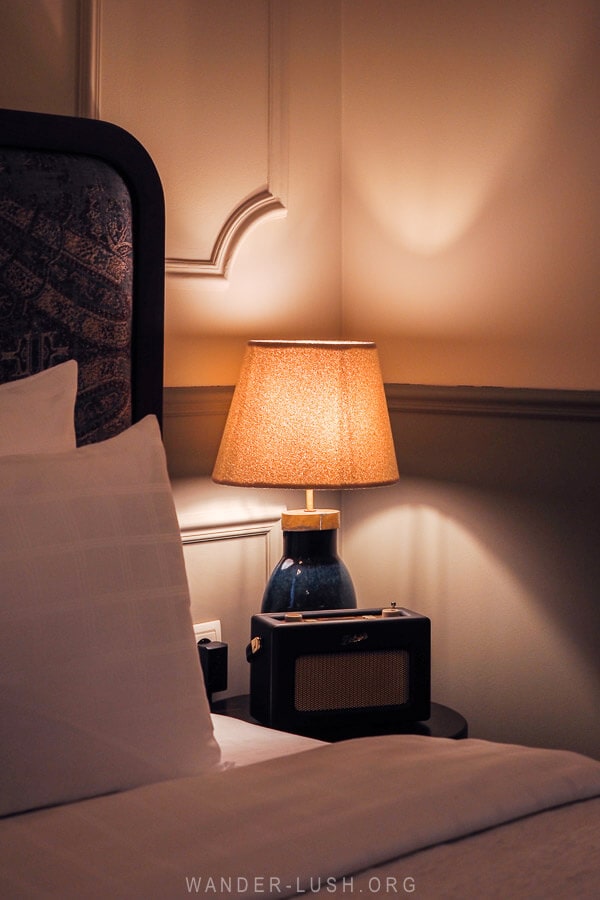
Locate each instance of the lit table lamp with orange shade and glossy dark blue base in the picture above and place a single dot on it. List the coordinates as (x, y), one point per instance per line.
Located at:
(309, 415)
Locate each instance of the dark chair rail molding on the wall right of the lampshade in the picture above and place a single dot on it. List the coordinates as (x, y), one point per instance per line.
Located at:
(528, 403)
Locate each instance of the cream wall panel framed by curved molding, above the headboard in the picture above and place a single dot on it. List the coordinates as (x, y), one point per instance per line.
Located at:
(194, 121)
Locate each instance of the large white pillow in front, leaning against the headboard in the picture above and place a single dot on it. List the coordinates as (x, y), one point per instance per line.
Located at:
(100, 682)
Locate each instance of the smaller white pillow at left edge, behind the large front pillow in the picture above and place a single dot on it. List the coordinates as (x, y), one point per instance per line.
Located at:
(37, 414)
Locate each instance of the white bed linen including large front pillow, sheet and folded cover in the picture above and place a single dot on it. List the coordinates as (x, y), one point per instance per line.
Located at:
(114, 701)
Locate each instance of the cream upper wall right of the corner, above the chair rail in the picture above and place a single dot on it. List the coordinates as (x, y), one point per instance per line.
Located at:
(471, 189)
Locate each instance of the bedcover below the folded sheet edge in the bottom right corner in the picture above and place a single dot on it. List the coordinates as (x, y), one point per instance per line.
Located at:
(549, 856)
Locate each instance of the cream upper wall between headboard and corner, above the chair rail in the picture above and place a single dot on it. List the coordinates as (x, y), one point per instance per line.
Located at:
(199, 101)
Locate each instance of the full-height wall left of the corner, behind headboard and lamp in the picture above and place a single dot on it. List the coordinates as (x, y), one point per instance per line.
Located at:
(236, 102)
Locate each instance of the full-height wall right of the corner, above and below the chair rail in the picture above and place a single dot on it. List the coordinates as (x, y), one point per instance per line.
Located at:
(470, 210)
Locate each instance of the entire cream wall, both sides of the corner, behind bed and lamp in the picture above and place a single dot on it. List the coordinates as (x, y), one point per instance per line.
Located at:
(439, 175)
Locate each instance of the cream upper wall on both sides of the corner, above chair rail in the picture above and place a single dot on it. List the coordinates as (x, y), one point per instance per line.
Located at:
(463, 141)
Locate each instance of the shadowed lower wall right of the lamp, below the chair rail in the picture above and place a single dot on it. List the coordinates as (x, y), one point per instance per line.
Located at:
(501, 552)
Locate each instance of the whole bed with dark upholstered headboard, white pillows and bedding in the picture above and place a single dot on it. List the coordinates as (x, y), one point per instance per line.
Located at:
(116, 780)
